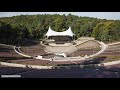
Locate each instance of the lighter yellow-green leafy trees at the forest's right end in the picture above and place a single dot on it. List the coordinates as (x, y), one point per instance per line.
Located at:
(107, 31)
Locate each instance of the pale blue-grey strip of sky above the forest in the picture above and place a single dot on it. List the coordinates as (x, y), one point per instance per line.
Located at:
(100, 15)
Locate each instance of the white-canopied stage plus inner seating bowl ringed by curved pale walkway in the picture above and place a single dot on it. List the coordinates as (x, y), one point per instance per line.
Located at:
(62, 49)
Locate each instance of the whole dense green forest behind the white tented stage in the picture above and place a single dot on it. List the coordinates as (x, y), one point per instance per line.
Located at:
(17, 29)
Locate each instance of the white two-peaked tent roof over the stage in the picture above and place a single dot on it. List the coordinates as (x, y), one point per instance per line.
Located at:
(64, 33)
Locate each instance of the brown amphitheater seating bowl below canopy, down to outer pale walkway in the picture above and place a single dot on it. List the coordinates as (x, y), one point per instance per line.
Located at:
(47, 55)
